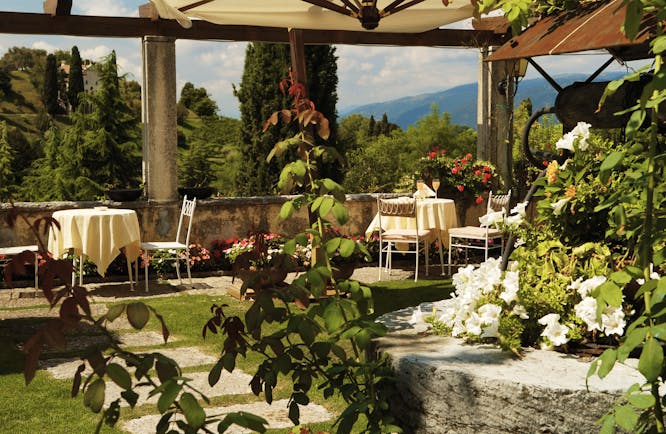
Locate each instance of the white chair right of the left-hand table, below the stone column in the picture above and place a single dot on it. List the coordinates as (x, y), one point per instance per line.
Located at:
(180, 245)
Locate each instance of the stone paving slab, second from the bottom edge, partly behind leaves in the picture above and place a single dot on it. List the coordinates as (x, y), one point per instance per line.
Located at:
(236, 383)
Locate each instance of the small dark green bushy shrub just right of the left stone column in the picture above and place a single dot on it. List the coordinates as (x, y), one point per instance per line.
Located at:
(194, 172)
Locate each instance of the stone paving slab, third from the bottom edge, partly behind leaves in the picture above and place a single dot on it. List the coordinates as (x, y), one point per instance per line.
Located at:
(185, 356)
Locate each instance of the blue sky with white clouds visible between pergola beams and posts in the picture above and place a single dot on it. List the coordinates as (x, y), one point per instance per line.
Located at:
(366, 74)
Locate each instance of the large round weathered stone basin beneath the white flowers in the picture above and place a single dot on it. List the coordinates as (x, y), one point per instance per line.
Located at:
(448, 386)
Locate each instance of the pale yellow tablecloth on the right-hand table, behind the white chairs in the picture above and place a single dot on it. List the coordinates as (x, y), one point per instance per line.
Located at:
(437, 215)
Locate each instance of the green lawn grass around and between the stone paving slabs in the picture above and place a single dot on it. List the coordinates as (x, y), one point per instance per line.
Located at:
(45, 405)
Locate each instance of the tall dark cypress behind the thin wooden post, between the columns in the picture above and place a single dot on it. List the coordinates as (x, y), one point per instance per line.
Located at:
(259, 95)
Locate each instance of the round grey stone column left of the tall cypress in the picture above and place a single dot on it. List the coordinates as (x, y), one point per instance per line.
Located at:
(160, 138)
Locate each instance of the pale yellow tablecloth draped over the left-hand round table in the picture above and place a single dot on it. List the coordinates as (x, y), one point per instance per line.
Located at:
(97, 233)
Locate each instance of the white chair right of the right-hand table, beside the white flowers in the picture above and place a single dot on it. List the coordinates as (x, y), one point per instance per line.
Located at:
(482, 237)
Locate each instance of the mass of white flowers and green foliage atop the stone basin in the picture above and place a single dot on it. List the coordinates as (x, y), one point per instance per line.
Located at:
(571, 280)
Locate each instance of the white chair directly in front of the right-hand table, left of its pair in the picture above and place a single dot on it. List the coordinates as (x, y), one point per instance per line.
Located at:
(389, 238)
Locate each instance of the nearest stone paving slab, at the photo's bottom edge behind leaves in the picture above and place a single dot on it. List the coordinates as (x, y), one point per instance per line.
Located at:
(276, 414)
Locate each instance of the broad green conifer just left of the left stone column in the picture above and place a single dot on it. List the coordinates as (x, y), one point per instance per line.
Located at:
(100, 149)
